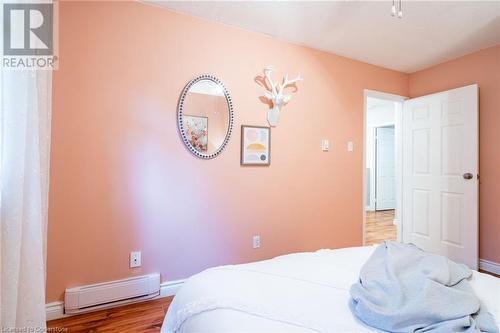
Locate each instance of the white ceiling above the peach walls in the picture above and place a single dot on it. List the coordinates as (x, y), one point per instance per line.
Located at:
(430, 32)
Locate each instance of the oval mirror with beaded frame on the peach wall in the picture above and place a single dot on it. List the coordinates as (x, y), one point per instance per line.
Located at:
(205, 116)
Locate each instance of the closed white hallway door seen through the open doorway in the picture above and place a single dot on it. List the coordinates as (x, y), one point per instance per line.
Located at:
(385, 168)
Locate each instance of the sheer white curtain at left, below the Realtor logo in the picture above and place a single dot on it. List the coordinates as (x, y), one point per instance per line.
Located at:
(25, 111)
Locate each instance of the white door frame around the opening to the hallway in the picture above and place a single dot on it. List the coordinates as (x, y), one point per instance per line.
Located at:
(399, 165)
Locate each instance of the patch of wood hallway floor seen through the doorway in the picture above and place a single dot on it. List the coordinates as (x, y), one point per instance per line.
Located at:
(379, 227)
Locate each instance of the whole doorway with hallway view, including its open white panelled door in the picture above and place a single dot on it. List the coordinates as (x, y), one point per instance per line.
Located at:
(435, 170)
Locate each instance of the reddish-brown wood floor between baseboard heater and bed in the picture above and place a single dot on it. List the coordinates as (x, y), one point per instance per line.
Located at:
(140, 317)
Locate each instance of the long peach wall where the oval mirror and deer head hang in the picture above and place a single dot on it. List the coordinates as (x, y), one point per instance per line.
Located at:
(122, 180)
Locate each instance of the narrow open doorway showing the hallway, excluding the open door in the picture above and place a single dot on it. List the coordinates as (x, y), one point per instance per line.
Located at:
(382, 167)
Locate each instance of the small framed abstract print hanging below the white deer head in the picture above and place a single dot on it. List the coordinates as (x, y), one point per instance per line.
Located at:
(255, 145)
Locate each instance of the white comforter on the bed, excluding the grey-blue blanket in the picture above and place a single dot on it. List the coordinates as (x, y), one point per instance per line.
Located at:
(302, 292)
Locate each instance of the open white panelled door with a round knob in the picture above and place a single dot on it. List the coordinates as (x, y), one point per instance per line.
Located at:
(440, 169)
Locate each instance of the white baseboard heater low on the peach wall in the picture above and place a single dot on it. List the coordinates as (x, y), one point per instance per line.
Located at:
(109, 294)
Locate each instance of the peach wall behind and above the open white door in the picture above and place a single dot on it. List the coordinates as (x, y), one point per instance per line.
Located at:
(483, 68)
